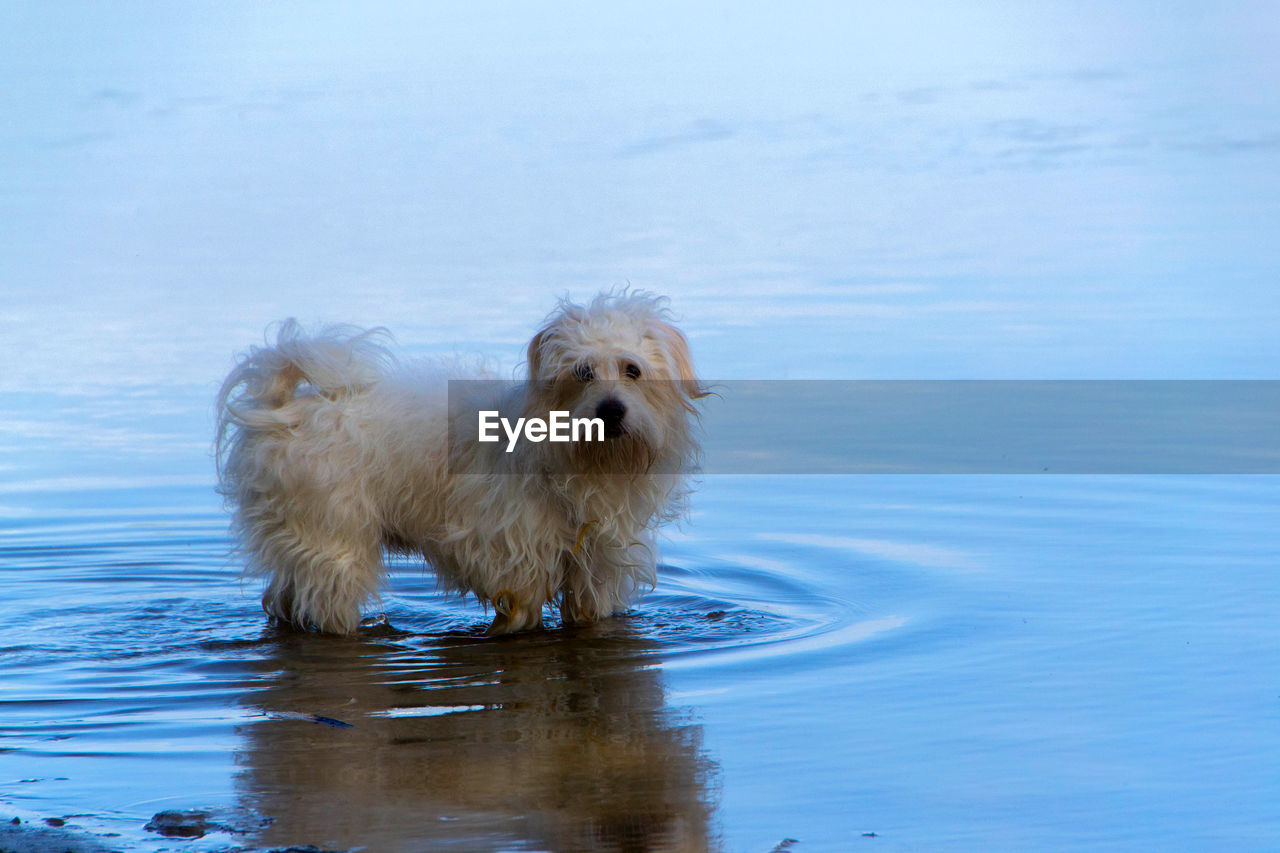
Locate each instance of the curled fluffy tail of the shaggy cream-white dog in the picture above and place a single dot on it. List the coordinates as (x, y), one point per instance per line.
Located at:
(264, 389)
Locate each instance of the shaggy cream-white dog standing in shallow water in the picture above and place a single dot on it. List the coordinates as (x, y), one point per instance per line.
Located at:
(331, 454)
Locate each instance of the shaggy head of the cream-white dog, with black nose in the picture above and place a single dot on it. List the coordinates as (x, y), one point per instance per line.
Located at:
(619, 359)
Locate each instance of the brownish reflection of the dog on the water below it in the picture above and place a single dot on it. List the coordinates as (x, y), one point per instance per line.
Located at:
(559, 741)
